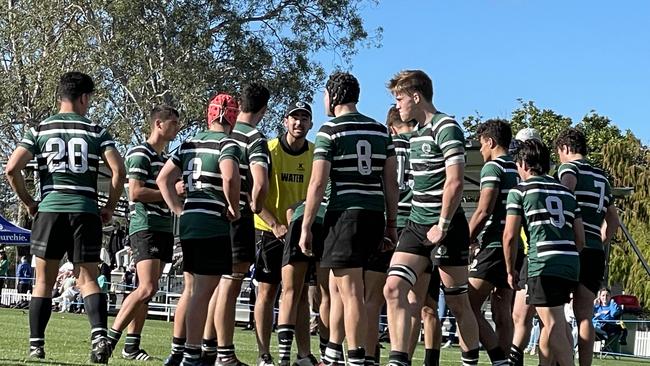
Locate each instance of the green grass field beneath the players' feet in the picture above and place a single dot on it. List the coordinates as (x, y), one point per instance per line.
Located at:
(68, 343)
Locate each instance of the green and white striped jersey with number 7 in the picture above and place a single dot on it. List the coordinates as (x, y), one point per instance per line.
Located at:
(594, 195)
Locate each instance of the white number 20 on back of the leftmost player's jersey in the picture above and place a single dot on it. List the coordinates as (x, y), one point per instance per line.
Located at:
(77, 155)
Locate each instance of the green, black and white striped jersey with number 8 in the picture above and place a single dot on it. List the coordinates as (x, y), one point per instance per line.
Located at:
(357, 147)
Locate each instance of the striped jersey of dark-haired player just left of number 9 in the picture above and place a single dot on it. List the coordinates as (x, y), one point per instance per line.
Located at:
(500, 174)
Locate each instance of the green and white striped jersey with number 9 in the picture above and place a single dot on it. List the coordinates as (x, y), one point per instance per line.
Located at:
(548, 210)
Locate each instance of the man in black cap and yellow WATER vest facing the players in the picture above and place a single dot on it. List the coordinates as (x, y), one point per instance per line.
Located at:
(291, 157)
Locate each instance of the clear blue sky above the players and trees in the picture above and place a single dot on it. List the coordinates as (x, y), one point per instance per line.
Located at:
(569, 56)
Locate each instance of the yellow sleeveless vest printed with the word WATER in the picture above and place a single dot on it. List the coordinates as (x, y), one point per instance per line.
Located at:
(288, 179)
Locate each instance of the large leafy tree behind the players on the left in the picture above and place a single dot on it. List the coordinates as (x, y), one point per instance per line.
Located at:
(141, 53)
